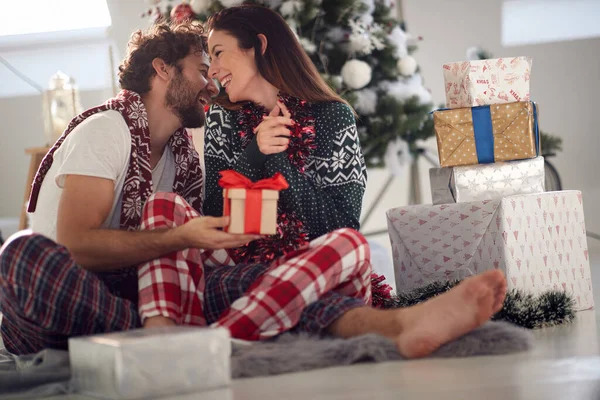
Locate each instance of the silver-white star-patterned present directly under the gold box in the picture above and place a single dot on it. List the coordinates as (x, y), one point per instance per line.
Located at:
(486, 181)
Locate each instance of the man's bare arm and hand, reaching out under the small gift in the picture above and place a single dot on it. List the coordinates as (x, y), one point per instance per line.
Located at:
(85, 204)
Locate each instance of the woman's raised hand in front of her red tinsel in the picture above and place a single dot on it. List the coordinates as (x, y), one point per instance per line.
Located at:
(272, 134)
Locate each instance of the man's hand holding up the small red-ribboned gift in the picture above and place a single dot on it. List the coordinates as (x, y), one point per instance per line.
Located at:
(204, 233)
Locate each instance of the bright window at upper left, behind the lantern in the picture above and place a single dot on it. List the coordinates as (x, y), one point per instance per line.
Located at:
(45, 36)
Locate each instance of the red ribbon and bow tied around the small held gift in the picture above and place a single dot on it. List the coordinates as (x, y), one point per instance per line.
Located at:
(231, 179)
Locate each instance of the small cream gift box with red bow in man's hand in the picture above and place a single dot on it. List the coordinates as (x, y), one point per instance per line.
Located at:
(252, 206)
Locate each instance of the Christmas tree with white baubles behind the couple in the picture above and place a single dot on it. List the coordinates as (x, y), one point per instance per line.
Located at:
(362, 51)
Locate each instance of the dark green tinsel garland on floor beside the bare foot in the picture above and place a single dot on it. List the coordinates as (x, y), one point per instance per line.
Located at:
(551, 308)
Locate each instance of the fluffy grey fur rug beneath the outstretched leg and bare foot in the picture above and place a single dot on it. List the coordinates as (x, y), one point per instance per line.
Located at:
(293, 353)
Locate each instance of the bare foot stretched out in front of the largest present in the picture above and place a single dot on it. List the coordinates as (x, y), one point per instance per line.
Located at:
(427, 326)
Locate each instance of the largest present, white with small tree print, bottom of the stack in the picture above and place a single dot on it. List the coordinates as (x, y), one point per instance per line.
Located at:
(538, 240)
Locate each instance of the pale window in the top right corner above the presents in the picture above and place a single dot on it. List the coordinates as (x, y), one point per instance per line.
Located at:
(542, 21)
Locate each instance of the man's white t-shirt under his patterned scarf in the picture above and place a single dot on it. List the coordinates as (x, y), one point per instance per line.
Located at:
(100, 146)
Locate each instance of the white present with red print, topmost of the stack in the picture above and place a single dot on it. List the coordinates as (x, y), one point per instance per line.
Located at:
(484, 82)
